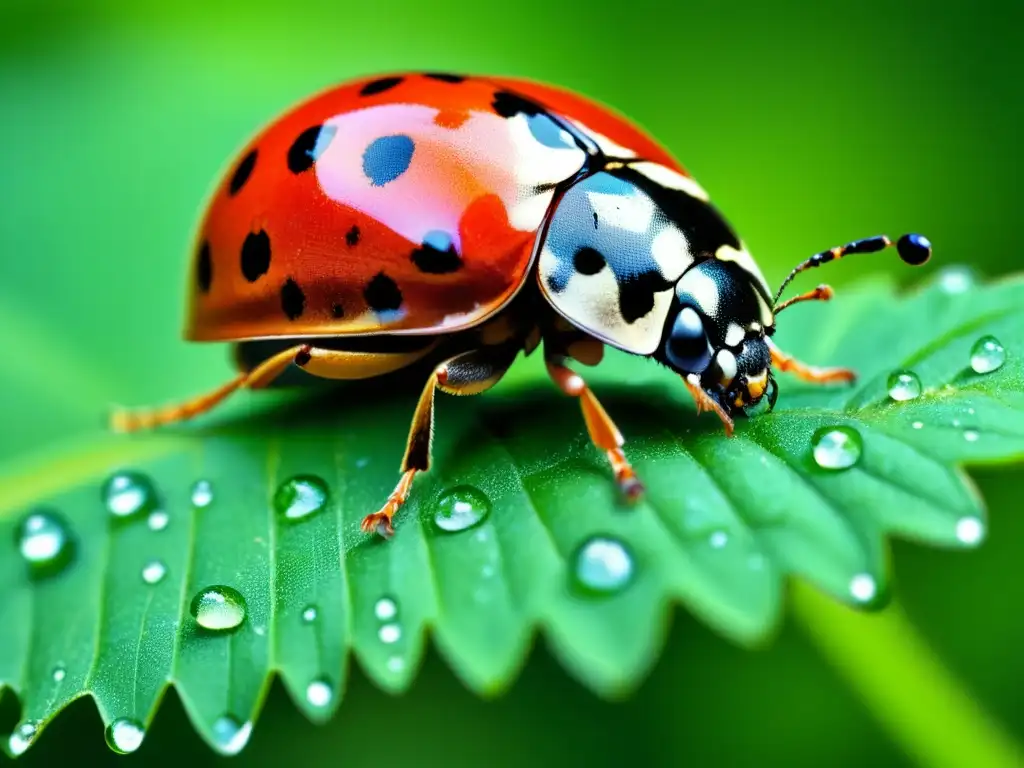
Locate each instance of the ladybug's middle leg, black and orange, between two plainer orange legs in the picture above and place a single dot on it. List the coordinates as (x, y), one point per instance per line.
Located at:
(470, 373)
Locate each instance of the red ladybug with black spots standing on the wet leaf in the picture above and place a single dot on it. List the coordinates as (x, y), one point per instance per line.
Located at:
(463, 221)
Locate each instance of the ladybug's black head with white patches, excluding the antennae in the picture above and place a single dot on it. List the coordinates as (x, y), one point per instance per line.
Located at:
(715, 334)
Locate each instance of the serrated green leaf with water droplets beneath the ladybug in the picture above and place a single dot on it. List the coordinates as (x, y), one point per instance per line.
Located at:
(726, 522)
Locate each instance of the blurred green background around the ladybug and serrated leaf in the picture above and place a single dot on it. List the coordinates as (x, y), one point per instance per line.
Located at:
(810, 124)
